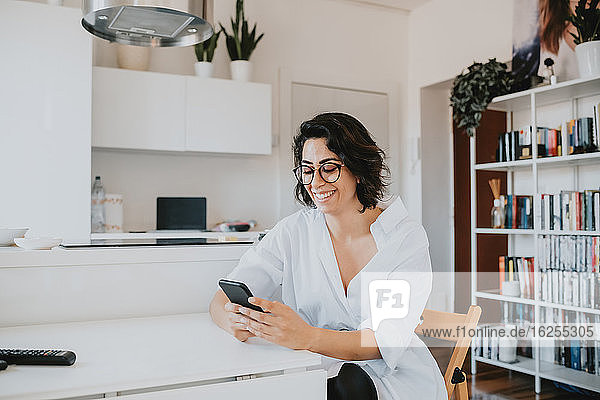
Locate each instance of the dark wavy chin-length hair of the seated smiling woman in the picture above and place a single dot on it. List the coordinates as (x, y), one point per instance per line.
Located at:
(348, 138)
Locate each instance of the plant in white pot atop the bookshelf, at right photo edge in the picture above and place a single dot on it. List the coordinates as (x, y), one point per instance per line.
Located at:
(587, 40)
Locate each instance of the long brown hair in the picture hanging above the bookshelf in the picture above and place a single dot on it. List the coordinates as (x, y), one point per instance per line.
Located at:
(553, 22)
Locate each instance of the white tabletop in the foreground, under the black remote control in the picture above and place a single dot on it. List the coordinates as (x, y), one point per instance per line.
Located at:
(136, 353)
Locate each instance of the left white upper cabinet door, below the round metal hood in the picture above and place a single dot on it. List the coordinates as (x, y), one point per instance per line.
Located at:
(138, 110)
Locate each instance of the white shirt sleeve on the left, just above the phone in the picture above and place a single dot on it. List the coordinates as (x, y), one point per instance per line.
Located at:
(261, 267)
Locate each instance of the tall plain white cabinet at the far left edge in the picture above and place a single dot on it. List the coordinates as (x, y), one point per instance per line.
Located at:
(45, 113)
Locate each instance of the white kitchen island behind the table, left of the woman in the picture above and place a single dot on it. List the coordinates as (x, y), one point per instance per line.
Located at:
(69, 285)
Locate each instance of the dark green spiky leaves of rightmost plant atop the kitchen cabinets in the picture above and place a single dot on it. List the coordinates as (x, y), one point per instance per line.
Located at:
(241, 42)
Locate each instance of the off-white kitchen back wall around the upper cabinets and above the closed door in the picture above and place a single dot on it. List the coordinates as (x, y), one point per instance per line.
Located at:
(326, 36)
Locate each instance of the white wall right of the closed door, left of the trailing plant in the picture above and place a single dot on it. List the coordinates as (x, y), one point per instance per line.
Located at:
(445, 37)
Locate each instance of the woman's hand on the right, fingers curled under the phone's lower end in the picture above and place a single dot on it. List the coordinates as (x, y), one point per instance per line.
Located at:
(278, 324)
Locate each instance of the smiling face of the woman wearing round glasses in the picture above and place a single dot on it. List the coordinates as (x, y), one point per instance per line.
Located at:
(330, 198)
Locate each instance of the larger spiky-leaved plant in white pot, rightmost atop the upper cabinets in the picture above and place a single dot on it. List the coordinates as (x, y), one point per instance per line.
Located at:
(240, 44)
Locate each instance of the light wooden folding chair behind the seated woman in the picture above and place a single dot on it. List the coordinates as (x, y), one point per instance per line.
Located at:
(431, 320)
